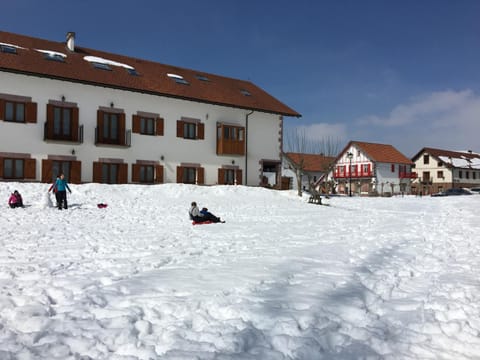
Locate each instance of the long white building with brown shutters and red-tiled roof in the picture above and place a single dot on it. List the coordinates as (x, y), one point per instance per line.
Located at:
(109, 118)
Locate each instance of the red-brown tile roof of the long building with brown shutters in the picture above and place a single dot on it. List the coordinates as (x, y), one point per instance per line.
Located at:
(152, 77)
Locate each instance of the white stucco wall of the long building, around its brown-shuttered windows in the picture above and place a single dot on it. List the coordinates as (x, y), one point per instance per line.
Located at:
(263, 137)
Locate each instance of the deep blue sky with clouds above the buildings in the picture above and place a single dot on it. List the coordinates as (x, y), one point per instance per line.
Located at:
(405, 73)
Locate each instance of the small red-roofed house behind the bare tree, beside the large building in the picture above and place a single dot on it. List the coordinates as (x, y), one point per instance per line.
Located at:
(312, 168)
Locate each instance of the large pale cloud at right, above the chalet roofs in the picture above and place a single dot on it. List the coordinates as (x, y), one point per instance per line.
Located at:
(446, 119)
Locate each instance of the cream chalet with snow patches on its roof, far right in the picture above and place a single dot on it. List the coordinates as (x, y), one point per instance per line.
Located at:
(438, 170)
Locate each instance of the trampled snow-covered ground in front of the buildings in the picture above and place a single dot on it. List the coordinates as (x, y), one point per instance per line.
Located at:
(376, 278)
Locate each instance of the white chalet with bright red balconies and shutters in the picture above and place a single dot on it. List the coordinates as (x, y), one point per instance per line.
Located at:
(364, 168)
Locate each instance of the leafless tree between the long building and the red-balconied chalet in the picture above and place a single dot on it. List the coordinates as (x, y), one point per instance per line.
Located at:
(297, 141)
